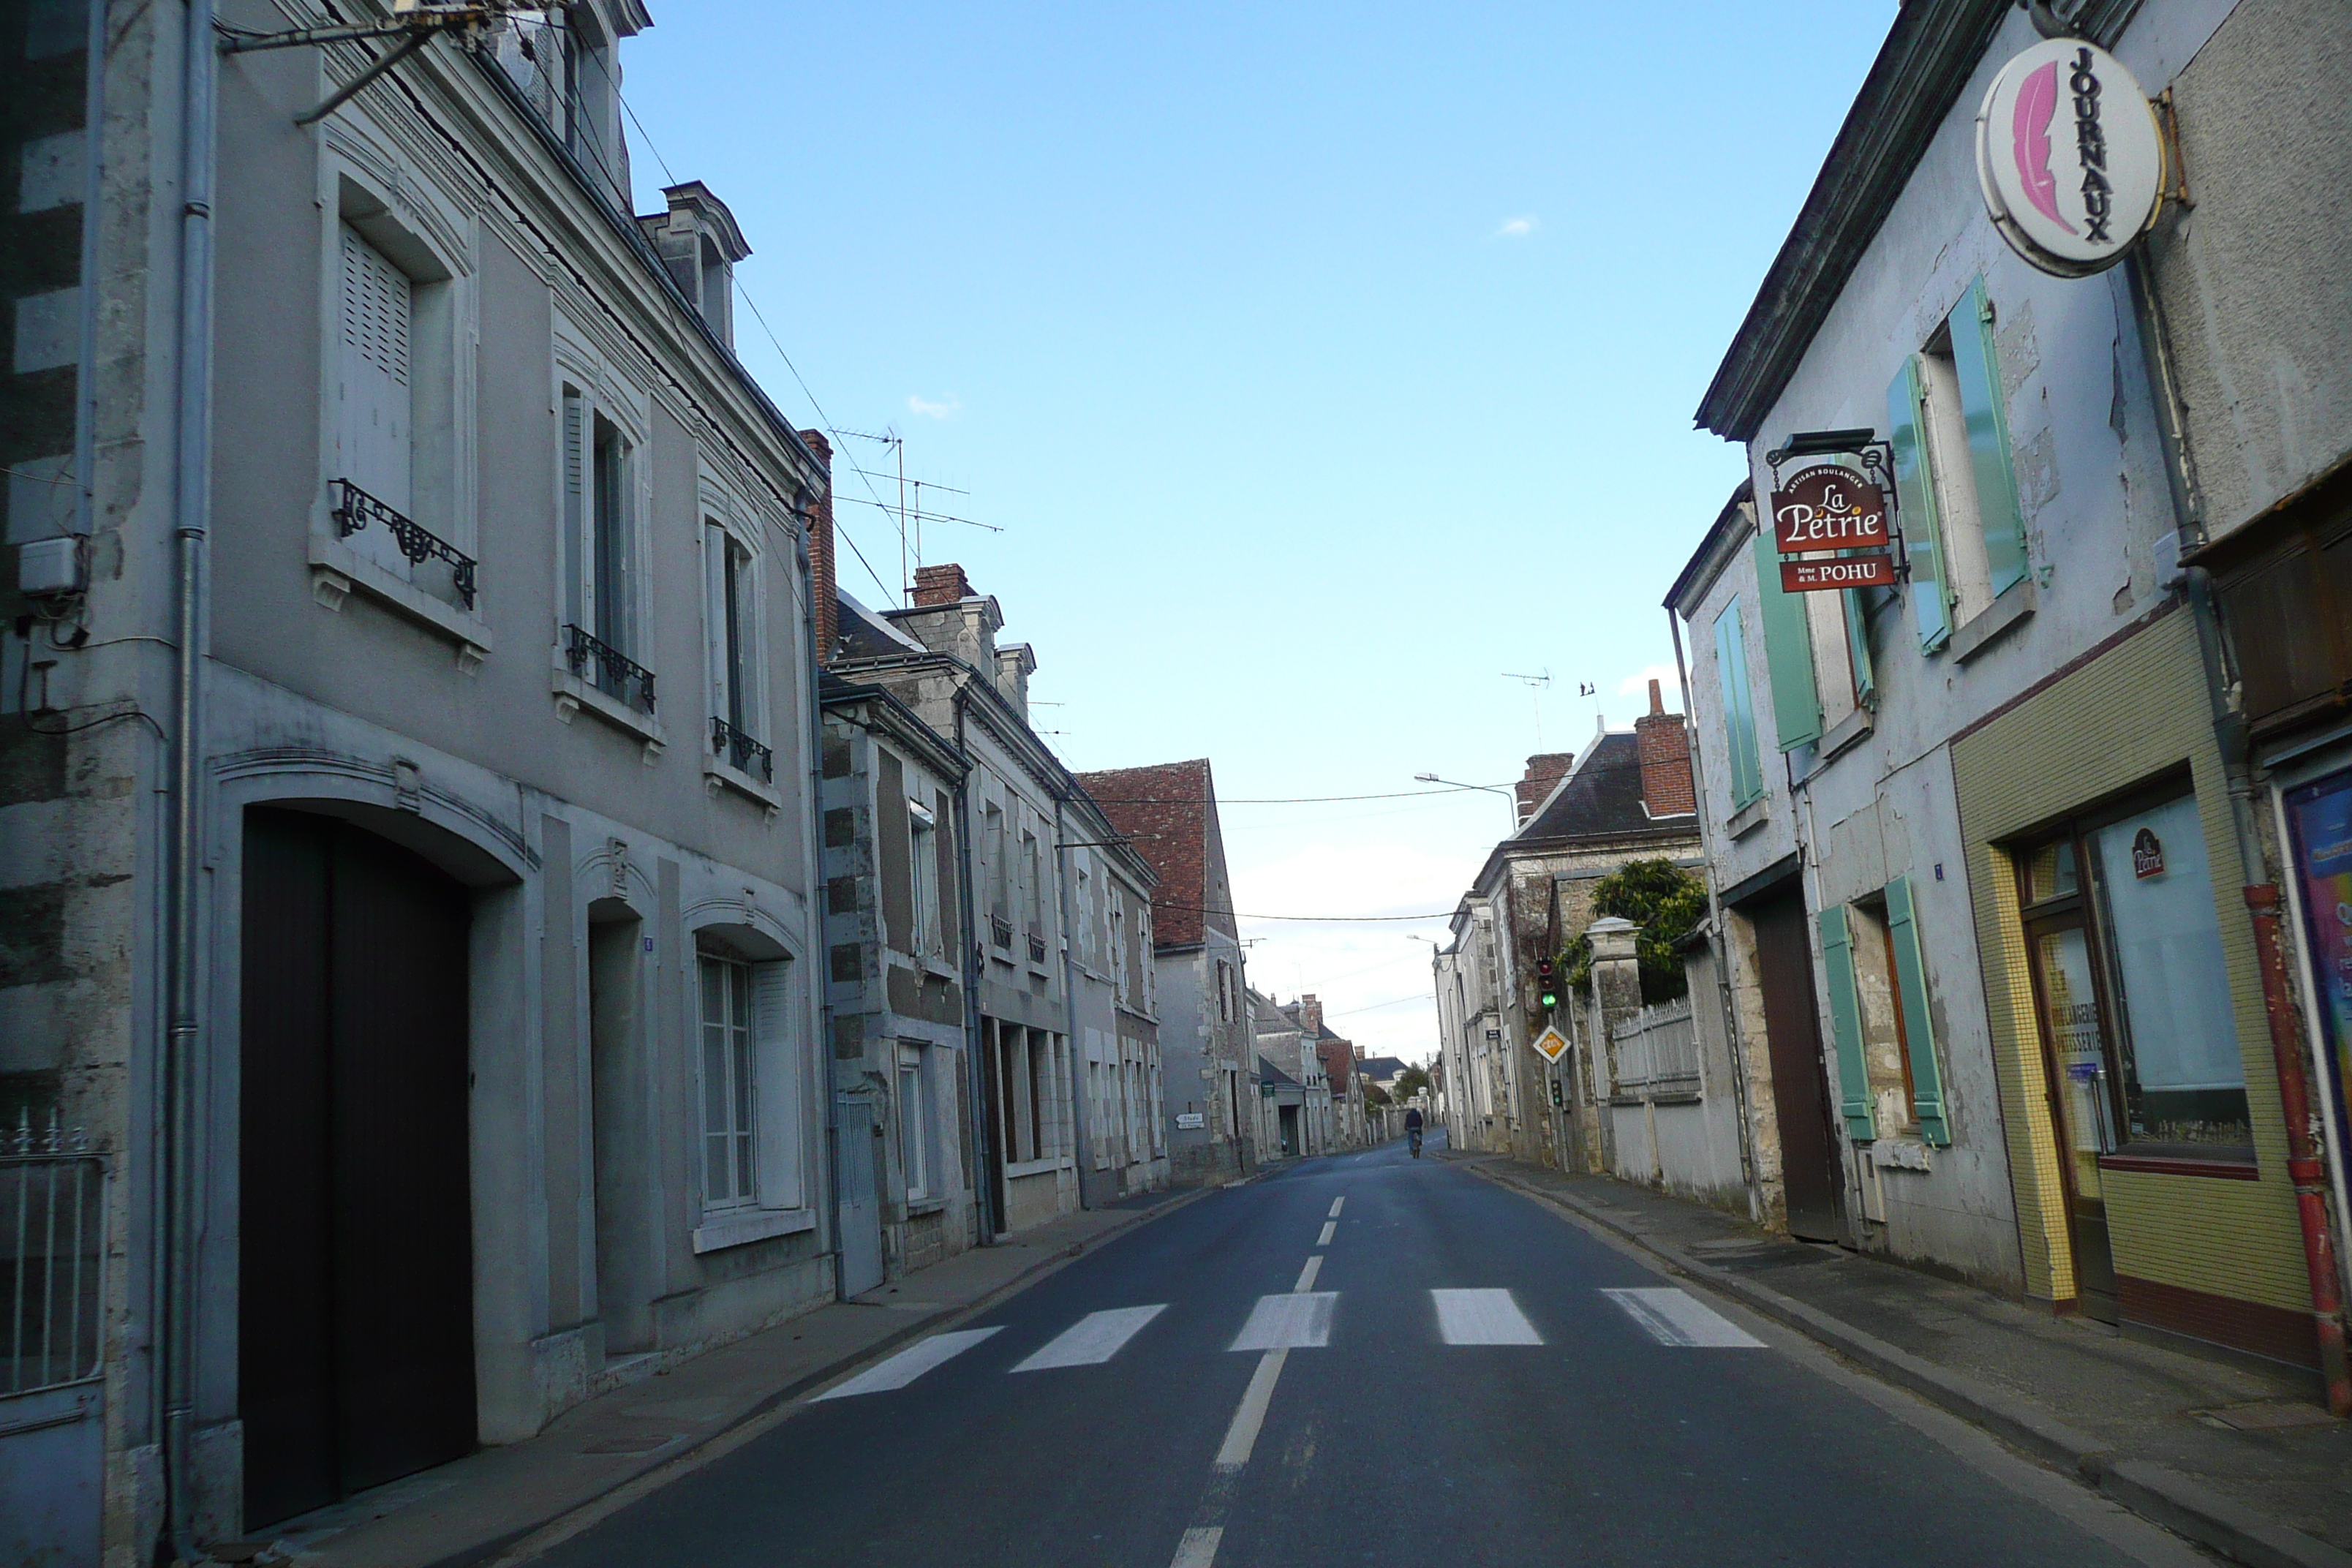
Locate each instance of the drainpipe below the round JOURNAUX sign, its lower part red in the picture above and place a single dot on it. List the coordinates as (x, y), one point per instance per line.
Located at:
(2261, 887)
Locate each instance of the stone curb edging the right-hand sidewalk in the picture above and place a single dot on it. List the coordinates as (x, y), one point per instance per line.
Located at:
(2153, 1492)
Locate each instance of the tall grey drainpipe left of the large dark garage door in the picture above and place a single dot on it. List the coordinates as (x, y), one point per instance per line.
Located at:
(175, 1261)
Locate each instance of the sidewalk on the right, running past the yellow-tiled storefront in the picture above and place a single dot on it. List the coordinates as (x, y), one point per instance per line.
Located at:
(2236, 1456)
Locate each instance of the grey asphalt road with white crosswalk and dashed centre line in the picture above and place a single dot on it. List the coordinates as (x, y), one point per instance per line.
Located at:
(1476, 1398)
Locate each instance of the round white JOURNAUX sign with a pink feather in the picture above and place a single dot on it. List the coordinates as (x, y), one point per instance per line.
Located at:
(2069, 156)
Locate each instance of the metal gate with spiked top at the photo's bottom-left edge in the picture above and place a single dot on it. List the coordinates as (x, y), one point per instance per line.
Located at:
(53, 1400)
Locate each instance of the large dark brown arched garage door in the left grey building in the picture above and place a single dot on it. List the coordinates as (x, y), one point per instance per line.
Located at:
(356, 1238)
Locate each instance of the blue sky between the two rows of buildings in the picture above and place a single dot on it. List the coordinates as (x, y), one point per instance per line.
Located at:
(1321, 366)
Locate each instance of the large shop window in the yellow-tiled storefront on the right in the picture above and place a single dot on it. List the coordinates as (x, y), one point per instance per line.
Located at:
(2134, 991)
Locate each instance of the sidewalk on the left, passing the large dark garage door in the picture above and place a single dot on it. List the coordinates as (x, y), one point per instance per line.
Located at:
(481, 1506)
